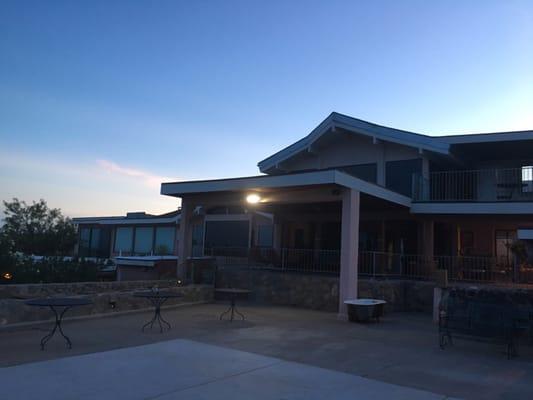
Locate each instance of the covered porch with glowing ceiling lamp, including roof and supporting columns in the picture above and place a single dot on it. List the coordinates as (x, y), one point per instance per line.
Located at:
(310, 220)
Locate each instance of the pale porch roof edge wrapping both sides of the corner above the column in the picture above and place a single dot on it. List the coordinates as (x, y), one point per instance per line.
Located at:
(272, 182)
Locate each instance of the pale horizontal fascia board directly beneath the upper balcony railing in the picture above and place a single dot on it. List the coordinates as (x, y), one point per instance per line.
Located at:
(473, 208)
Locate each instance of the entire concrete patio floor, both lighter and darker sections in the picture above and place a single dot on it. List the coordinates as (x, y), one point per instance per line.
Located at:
(276, 353)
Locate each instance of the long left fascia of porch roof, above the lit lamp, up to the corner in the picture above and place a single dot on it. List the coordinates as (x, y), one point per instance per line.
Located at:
(248, 183)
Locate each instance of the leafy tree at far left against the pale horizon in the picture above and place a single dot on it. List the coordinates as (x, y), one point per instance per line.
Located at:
(37, 229)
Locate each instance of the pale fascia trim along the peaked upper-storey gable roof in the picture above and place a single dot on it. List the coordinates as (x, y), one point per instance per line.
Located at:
(357, 126)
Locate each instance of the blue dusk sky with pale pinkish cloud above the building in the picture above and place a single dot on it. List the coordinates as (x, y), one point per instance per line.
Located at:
(101, 101)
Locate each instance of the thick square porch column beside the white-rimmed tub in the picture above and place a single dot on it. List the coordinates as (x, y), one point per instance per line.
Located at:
(349, 248)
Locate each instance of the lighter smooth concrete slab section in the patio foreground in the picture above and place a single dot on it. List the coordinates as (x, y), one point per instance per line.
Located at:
(179, 369)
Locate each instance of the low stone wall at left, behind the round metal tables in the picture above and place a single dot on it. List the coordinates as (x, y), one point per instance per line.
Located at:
(108, 298)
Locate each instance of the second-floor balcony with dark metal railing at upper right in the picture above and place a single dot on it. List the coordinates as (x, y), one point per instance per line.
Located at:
(483, 185)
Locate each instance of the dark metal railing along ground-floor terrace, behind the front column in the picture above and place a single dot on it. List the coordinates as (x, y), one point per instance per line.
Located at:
(375, 264)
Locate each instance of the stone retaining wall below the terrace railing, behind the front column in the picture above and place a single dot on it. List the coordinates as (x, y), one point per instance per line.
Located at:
(321, 292)
